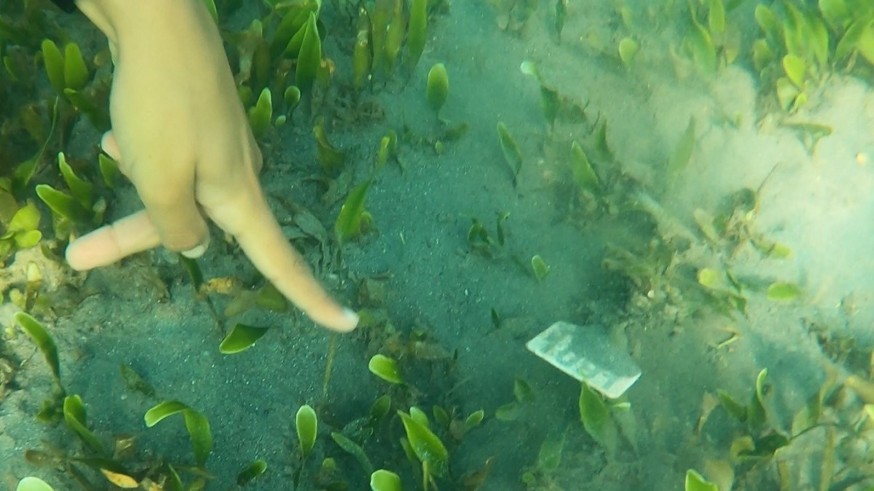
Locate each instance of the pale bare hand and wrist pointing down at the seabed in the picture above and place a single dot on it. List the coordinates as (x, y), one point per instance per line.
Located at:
(180, 134)
